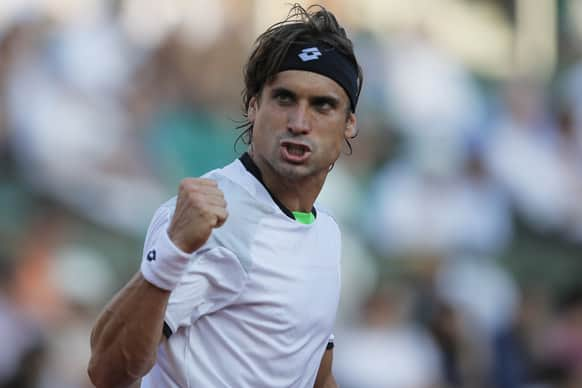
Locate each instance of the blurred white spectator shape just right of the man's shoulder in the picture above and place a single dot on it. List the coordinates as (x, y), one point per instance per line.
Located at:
(415, 210)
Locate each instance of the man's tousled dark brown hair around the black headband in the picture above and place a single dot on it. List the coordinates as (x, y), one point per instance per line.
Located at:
(314, 24)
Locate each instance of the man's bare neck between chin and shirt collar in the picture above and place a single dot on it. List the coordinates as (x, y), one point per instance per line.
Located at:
(297, 194)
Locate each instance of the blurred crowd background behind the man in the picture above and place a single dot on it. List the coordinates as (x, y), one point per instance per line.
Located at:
(460, 207)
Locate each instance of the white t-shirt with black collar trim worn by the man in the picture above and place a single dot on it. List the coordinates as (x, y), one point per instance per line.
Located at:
(257, 305)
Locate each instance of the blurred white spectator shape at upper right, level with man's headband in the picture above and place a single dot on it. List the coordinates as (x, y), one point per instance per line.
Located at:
(434, 101)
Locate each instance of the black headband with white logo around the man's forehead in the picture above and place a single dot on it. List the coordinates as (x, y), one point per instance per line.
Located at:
(327, 61)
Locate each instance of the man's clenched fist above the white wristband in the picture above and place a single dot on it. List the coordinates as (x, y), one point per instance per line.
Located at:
(200, 208)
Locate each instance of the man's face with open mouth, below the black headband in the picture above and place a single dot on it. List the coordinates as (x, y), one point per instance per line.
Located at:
(299, 124)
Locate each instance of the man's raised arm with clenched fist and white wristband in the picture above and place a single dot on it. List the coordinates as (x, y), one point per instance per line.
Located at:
(128, 331)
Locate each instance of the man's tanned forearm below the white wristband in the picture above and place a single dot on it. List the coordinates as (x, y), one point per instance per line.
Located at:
(127, 334)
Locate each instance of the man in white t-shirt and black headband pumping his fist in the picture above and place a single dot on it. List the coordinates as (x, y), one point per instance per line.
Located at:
(247, 298)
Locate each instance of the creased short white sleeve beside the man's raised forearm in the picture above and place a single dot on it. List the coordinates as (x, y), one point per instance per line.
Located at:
(213, 281)
